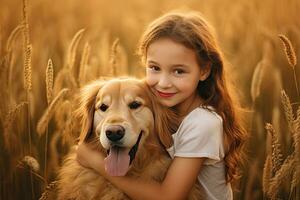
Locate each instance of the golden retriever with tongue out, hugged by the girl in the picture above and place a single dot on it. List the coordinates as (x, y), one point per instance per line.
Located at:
(122, 120)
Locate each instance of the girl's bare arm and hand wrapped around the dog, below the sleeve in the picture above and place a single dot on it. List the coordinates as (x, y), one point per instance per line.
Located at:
(178, 182)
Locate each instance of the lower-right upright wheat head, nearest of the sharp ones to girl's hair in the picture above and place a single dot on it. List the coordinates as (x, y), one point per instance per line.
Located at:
(276, 151)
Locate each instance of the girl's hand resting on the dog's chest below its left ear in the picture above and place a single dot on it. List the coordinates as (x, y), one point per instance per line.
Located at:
(90, 158)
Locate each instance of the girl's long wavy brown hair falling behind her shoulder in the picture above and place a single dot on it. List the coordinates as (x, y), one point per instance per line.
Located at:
(191, 30)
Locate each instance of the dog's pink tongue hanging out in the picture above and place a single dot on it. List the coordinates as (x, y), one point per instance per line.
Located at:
(117, 162)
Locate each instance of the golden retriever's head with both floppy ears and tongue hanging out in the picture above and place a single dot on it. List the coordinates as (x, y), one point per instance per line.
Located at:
(123, 115)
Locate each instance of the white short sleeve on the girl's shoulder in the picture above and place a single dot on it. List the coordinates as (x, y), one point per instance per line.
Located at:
(200, 135)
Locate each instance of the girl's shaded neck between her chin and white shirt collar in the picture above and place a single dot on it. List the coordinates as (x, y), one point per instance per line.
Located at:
(188, 105)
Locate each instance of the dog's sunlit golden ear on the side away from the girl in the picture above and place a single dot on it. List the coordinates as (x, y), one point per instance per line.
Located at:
(86, 108)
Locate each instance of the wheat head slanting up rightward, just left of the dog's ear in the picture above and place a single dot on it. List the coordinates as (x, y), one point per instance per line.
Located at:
(44, 120)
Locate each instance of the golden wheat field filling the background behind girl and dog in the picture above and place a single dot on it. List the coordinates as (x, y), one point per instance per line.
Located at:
(49, 49)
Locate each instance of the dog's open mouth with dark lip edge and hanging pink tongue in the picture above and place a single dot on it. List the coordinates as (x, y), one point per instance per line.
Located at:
(119, 158)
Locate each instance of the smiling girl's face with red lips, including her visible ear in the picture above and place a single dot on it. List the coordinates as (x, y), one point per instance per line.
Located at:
(173, 73)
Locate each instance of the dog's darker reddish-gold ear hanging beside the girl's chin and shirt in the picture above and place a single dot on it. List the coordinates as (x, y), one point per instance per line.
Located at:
(165, 120)
